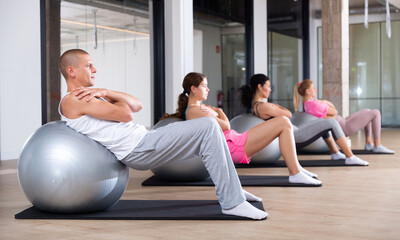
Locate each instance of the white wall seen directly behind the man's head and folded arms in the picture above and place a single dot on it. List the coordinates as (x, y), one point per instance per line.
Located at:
(120, 69)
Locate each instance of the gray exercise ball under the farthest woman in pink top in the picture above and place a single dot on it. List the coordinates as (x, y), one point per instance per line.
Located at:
(318, 146)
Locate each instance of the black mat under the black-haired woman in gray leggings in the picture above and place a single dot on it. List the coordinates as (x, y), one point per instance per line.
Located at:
(303, 163)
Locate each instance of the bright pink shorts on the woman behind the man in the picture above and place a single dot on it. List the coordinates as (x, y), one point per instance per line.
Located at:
(236, 142)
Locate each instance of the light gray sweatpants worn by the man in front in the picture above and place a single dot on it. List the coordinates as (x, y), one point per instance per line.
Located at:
(183, 140)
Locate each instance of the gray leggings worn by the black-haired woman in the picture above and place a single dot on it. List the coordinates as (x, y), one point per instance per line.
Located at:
(312, 130)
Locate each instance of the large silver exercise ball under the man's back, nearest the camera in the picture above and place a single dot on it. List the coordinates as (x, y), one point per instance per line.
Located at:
(61, 170)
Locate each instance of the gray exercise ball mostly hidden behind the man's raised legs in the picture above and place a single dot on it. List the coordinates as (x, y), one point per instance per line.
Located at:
(184, 170)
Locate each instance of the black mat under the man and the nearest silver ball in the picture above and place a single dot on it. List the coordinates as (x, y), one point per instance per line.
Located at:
(146, 210)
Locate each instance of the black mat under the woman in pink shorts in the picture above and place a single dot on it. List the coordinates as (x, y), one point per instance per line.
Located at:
(246, 180)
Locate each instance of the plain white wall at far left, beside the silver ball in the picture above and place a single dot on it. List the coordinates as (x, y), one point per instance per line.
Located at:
(20, 94)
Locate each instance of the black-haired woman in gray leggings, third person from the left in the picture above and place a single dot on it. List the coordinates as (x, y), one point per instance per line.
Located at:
(259, 88)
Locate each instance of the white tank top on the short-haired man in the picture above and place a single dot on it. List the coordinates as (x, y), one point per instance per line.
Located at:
(118, 137)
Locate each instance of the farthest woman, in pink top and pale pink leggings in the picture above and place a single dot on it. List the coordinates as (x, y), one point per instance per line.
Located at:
(368, 119)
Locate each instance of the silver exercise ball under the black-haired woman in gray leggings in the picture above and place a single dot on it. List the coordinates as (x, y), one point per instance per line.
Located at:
(268, 155)
